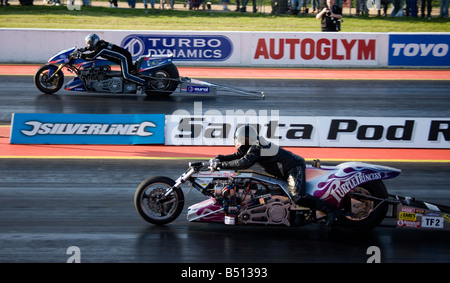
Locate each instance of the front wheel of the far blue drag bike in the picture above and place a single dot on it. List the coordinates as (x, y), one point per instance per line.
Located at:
(44, 81)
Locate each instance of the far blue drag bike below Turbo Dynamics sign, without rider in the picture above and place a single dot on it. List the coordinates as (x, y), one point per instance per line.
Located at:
(160, 75)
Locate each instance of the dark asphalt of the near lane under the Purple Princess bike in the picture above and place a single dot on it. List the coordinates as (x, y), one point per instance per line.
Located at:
(50, 205)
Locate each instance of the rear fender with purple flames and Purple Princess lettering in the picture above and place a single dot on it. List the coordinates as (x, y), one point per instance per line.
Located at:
(341, 179)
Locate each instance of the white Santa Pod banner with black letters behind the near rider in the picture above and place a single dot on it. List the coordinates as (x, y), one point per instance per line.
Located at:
(374, 132)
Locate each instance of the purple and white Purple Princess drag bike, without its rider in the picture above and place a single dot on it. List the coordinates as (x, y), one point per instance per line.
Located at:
(252, 197)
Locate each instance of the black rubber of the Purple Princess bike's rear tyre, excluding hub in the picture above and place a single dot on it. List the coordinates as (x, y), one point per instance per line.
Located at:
(347, 224)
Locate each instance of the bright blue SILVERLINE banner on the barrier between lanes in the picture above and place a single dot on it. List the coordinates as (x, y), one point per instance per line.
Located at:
(87, 129)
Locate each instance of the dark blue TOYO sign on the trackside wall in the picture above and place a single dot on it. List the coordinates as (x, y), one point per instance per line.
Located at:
(419, 50)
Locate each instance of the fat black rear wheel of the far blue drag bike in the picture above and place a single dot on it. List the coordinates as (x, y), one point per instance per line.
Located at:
(164, 88)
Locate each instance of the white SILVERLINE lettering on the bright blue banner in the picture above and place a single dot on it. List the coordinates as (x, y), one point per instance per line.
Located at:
(39, 128)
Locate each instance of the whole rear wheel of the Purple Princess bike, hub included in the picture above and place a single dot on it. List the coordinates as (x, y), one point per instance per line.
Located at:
(363, 214)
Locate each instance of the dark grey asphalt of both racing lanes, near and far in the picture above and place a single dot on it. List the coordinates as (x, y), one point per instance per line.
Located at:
(48, 205)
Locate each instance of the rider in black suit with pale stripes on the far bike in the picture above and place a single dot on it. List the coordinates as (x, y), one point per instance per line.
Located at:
(97, 47)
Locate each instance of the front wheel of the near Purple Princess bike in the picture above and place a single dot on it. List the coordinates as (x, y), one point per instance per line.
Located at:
(149, 204)
